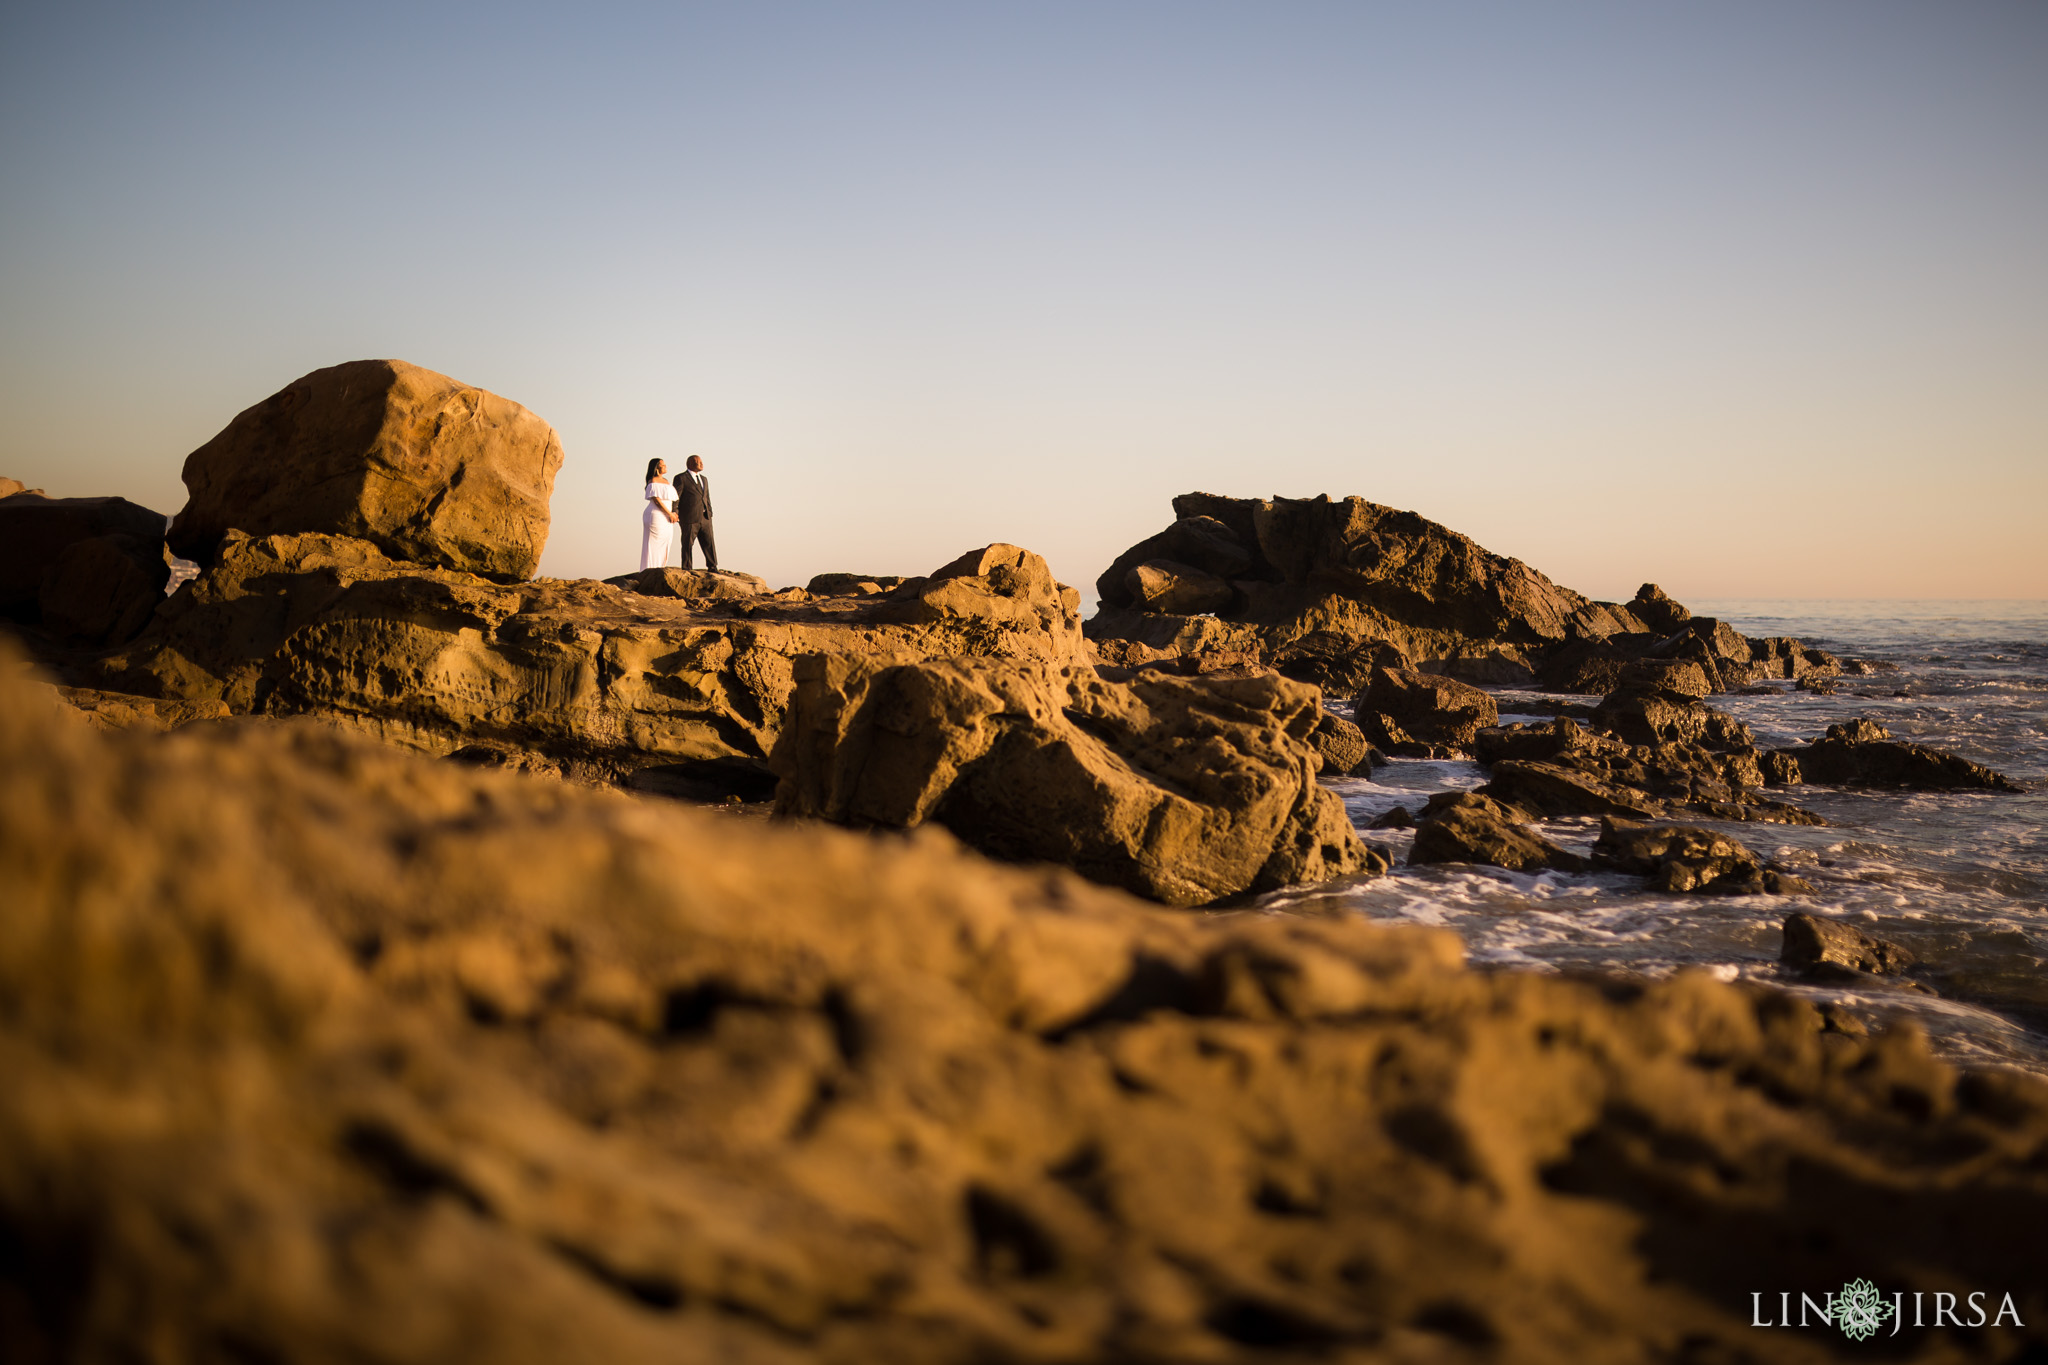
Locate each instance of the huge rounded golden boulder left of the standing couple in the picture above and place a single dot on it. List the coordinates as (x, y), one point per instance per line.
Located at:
(427, 470)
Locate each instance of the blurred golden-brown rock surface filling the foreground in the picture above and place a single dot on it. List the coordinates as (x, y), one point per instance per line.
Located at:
(325, 1053)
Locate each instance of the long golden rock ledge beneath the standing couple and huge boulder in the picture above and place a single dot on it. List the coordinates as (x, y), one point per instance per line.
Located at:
(581, 678)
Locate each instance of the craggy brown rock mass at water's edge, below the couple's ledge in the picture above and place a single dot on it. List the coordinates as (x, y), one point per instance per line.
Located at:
(1181, 791)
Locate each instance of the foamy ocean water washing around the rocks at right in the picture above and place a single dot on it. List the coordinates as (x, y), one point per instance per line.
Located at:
(1959, 879)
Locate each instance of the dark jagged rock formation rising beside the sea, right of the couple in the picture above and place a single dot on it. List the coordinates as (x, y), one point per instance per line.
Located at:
(1332, 590)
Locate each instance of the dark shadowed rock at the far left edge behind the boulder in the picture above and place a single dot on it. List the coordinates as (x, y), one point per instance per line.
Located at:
(89, 570)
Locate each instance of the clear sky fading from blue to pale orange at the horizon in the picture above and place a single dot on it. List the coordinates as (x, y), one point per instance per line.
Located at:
(1748, 296)
